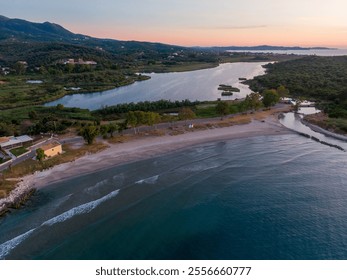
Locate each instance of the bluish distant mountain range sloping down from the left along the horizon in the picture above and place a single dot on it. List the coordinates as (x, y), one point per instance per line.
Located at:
(44, 43)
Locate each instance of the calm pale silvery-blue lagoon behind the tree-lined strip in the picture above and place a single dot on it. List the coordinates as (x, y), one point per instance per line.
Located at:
(195, 85)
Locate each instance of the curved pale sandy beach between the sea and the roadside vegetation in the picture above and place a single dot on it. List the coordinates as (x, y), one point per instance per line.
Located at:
(132, 151)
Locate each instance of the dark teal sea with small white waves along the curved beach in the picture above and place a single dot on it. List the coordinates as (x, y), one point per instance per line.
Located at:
(273, 197)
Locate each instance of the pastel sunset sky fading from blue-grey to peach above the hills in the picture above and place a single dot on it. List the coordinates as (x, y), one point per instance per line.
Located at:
(195, 22)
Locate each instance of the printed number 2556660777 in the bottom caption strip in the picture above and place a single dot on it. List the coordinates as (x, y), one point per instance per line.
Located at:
(216, 271)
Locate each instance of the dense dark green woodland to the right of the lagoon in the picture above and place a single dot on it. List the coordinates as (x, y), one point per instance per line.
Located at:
(323, 79)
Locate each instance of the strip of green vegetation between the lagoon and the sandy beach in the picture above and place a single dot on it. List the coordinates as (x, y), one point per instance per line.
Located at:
(58, 119)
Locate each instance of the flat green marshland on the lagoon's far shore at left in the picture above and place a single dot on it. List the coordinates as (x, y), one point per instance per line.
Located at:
(15, 91)
